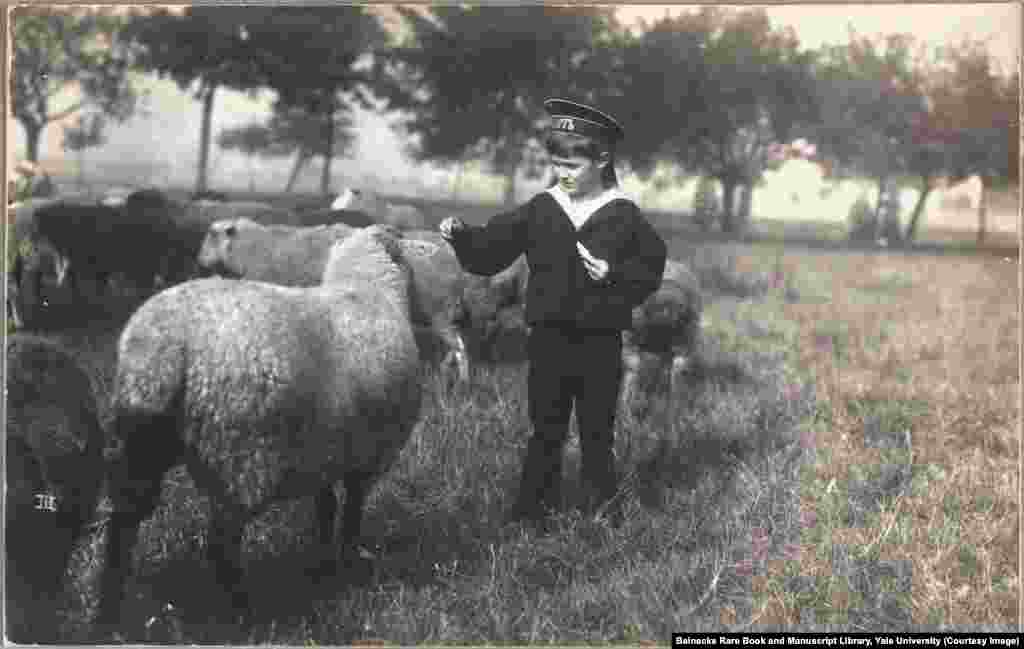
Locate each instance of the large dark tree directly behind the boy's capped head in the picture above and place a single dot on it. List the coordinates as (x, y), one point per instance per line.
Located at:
(472, 80)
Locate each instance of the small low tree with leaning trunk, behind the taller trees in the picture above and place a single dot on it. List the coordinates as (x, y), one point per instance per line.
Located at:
(291, 132)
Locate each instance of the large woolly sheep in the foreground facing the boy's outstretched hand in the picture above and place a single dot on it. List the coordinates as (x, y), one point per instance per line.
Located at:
(266, 394)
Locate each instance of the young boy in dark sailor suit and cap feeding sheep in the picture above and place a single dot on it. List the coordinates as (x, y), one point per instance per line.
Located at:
(592, 259)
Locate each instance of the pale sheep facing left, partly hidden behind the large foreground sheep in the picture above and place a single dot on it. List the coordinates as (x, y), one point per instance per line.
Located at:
(292, 256)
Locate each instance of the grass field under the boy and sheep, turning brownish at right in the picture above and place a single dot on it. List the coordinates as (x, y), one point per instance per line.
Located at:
(843, 455)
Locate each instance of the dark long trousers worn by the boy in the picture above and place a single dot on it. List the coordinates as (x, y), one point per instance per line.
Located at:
(571, 366)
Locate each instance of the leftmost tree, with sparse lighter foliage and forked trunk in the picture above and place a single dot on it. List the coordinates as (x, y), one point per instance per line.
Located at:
(62, 51)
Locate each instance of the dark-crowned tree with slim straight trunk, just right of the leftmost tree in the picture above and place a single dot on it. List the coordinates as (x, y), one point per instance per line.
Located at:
(204, 48)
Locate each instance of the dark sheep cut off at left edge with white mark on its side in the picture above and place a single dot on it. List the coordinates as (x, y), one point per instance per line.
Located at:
(55, 473)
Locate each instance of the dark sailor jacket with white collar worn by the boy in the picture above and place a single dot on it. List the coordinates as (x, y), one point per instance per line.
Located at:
(561, 292)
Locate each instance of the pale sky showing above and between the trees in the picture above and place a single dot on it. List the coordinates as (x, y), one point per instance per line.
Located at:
(166, 140)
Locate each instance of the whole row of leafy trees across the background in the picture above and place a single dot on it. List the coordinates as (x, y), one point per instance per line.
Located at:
(711, 92)
